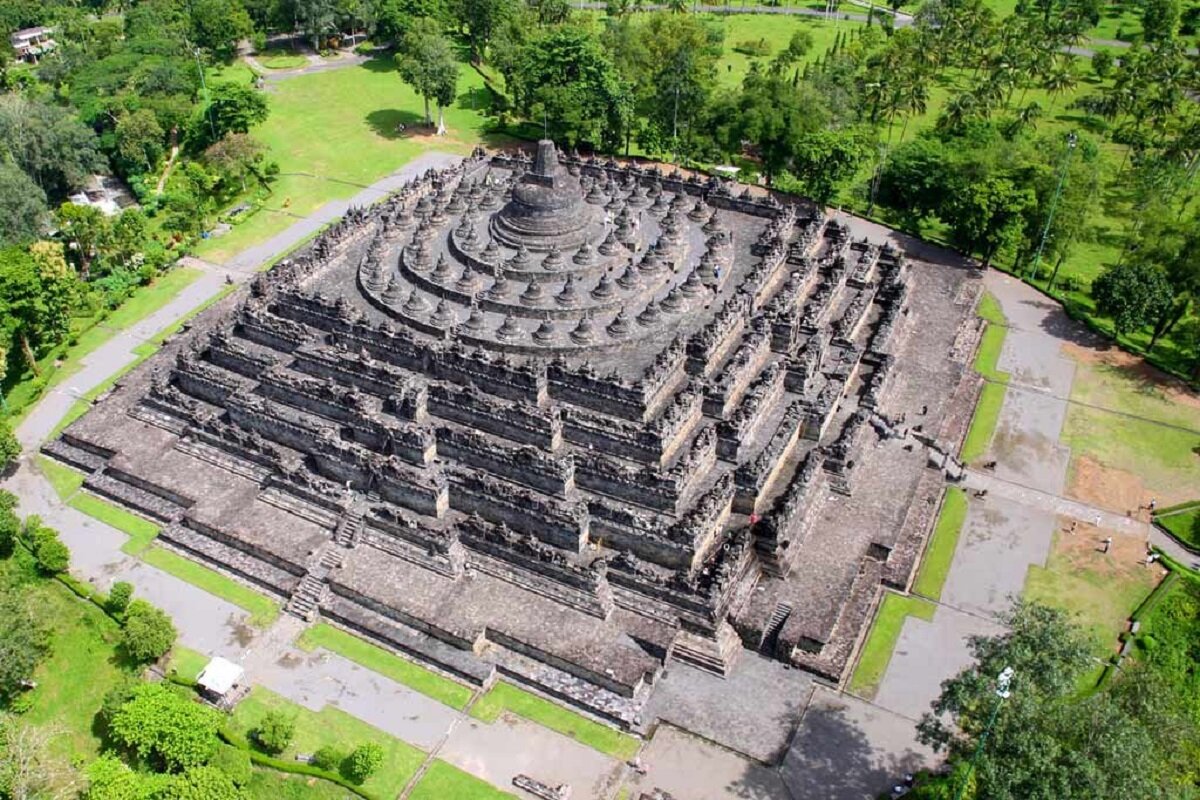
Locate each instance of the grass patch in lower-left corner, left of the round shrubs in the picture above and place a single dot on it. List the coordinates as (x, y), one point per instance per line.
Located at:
(82, 667)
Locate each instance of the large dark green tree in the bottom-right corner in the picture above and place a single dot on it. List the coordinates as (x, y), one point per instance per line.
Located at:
(1043, 743)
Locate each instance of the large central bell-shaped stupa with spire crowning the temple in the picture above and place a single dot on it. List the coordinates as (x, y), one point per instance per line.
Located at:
(548, 208)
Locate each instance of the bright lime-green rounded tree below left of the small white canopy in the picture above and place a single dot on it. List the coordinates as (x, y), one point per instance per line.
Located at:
(165, 729)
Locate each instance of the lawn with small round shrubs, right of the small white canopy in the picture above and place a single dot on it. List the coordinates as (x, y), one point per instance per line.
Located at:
(334, 727)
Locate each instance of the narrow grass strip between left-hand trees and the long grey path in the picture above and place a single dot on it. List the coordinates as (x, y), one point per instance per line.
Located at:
(22, 395)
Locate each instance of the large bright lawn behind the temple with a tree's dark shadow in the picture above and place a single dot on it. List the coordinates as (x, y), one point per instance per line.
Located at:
(335, 133)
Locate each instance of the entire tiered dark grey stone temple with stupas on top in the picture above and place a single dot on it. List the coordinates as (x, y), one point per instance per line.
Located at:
(562, 420)
